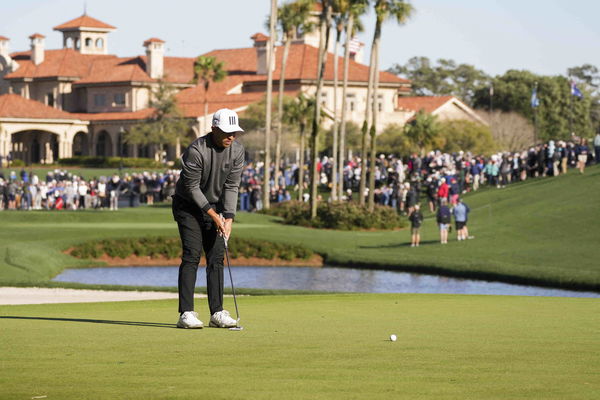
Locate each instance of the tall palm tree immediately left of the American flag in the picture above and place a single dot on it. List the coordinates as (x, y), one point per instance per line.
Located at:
(350, 12)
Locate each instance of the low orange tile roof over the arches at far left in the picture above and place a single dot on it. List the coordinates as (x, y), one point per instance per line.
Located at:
(15, 106)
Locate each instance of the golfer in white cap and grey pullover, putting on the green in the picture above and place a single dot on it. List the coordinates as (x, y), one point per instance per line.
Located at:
(204, 207)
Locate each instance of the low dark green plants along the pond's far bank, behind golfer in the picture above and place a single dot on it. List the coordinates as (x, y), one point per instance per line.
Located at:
(170, 247)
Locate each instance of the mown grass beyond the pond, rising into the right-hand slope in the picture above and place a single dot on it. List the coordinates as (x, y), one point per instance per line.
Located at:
(538, 232)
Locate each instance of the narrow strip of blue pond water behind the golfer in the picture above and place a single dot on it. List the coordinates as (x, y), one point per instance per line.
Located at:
(331, 279)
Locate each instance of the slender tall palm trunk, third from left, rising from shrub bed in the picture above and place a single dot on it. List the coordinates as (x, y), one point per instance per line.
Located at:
(325, 23)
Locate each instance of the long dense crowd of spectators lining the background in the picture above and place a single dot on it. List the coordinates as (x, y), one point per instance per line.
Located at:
(401, 182)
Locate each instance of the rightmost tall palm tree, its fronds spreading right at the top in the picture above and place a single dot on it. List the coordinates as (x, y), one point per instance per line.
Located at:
(400, 10)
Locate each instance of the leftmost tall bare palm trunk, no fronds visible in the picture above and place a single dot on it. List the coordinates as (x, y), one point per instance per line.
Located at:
(270, 62)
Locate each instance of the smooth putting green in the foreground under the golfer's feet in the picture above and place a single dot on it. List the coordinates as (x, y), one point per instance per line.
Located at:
(307, 347)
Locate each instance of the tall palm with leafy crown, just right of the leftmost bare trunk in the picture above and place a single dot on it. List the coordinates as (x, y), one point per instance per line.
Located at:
(292, 18)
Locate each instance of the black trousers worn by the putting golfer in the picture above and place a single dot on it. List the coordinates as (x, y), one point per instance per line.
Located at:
(198, 232)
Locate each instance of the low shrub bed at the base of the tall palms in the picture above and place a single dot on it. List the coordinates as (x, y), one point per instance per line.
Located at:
(341, 216)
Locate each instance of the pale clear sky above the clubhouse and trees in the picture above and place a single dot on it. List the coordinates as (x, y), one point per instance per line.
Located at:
(542, 36)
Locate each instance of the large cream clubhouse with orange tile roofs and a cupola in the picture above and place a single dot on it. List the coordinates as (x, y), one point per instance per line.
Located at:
(80, 100)
